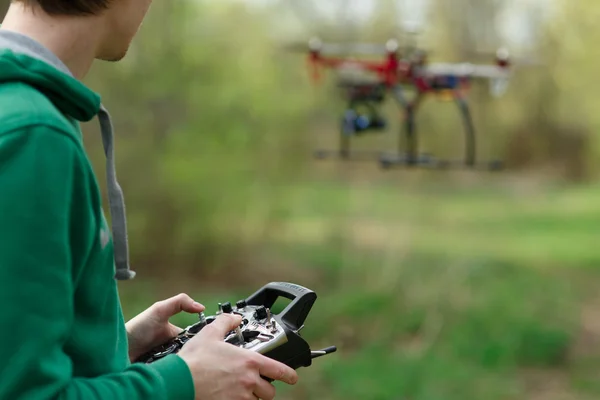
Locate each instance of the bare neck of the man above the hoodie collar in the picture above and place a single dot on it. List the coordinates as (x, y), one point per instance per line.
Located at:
(74, 41)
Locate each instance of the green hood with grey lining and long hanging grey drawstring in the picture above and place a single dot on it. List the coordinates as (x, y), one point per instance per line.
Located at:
(24, 60)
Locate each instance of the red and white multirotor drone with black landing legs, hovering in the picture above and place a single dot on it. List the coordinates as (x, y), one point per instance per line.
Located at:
(367, 83)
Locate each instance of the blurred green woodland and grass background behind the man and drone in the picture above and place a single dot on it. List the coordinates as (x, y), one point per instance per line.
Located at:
(453, 285)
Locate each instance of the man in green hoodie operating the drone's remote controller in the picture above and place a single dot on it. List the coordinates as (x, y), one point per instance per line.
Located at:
(63, 334)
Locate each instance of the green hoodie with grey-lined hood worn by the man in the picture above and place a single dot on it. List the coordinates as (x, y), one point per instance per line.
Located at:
(63, 333)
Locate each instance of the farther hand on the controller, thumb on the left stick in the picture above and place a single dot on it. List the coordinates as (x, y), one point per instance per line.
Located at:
(152, 328)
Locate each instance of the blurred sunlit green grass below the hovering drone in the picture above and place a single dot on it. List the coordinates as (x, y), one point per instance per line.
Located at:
(434, 292)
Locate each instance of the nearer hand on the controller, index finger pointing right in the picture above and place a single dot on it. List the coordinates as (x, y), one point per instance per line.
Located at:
(222, 371)
